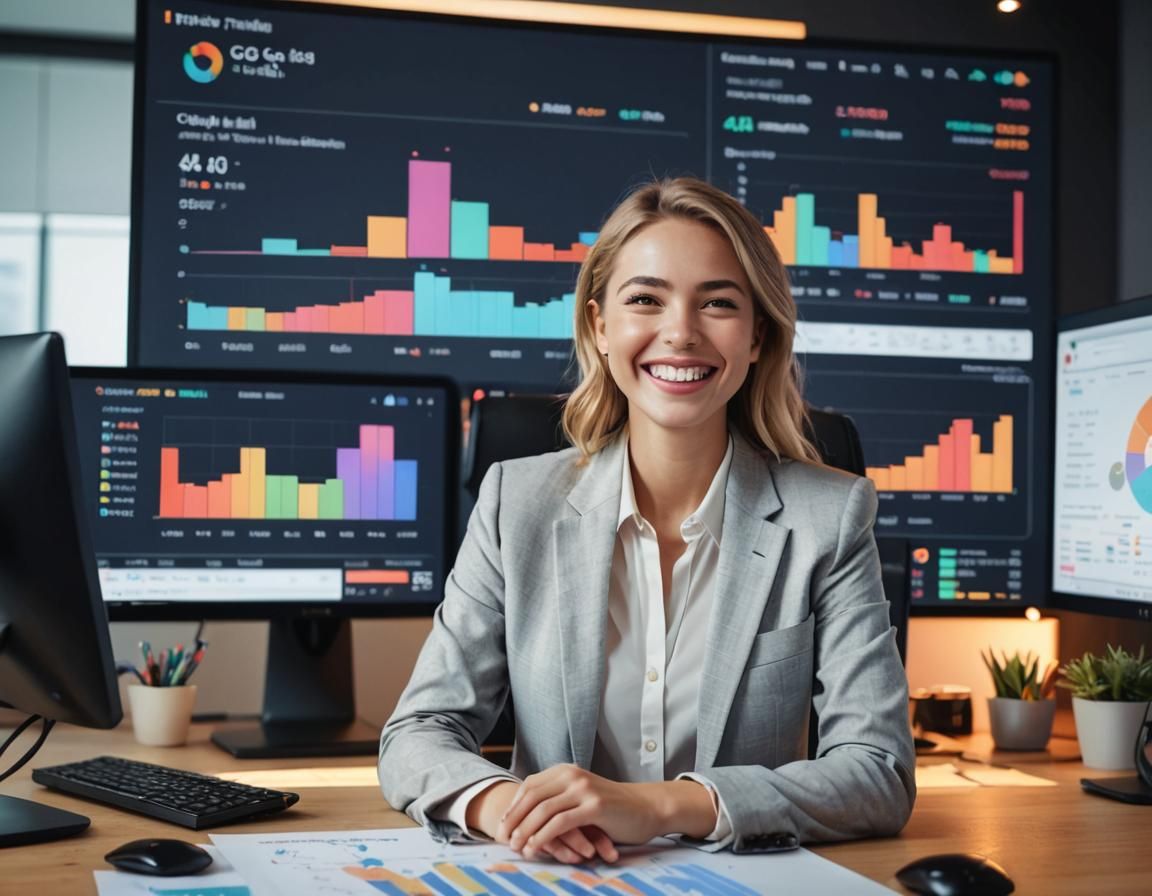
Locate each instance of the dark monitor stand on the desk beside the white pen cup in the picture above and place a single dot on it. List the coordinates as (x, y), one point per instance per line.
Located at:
(309, 705)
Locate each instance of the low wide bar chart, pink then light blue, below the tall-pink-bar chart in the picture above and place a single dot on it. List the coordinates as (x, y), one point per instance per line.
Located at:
(431, 308)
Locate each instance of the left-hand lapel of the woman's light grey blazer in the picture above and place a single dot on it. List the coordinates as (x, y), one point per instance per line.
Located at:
(583, 548)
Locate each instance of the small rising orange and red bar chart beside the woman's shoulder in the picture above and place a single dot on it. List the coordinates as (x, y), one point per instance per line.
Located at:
(956, 464)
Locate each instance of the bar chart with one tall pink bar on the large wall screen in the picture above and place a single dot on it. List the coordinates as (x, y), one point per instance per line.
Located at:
(436, 226)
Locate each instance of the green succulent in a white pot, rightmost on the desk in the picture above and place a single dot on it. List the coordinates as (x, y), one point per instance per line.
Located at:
(1111, 695)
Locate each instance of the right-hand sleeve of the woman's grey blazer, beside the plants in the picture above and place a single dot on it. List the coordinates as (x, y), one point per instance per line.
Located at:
(862, 781)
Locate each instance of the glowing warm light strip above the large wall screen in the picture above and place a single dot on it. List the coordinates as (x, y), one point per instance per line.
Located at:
(605, 17)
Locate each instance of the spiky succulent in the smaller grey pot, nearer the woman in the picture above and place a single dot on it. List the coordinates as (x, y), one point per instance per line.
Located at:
(1024, 709)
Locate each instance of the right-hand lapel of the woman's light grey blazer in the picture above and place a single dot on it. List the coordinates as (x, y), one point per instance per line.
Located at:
(751, 552)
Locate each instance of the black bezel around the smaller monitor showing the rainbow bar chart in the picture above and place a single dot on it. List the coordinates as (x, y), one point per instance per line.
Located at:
(266, 611)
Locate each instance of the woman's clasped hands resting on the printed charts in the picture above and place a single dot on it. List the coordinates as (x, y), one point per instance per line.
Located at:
(575, 816)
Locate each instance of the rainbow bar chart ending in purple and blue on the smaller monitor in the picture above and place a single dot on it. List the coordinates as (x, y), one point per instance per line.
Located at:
(370, 484)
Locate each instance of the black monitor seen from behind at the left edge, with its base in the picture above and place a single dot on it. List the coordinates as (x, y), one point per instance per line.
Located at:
(56, 655)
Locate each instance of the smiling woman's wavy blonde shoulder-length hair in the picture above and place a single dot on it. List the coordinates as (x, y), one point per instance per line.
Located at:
(768, 411)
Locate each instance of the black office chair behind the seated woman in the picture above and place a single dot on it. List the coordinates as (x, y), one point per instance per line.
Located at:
(504, 428)
